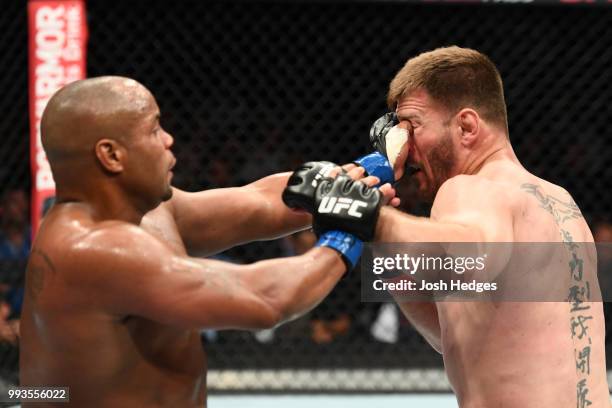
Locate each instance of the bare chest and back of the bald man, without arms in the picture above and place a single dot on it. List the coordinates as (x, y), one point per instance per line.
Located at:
(107, 359)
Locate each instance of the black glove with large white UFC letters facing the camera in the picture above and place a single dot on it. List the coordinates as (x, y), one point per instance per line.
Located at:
(346, 205)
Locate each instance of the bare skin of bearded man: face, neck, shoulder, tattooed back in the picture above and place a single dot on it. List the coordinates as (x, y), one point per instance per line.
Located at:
(510, 354)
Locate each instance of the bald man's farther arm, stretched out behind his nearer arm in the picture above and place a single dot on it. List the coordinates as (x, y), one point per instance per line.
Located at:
(213, 220)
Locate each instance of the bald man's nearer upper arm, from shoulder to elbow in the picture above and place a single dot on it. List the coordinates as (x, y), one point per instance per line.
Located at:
(139, 275)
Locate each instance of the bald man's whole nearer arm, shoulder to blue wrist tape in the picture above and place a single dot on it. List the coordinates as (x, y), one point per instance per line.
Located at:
(151, 282)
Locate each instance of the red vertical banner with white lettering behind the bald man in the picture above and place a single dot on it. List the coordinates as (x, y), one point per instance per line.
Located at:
(57, 45)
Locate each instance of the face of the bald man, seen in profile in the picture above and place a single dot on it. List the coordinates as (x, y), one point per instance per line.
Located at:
(151, 159)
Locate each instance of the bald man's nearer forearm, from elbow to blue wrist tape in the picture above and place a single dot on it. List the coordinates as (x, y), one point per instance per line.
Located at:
(293, 286)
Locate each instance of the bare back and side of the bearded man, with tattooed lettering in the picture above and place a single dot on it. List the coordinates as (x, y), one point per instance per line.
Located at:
(528, 354)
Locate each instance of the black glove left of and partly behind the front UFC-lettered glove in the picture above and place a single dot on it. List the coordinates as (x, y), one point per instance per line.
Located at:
(301, 187)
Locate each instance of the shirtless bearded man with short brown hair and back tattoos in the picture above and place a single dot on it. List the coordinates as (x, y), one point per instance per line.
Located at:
(511, 354)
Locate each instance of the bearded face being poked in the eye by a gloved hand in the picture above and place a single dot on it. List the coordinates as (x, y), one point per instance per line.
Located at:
(430, 153)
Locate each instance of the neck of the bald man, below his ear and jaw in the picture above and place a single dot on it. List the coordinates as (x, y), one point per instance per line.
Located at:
(106, 202)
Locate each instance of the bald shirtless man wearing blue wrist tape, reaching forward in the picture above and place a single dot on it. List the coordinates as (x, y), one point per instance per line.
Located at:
(114, 304)
